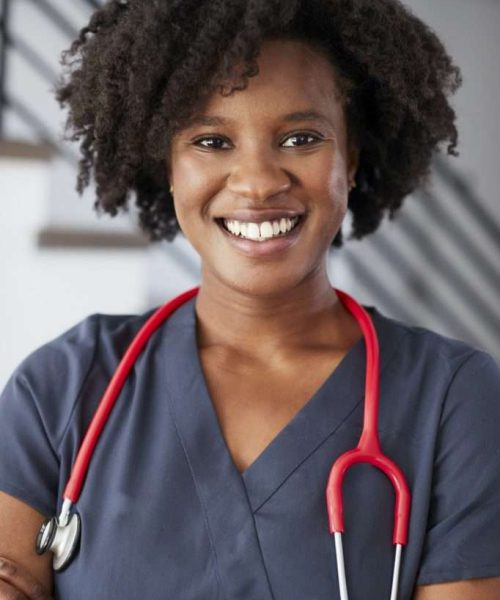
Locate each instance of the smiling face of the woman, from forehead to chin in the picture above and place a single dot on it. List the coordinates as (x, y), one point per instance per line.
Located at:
(261, 183)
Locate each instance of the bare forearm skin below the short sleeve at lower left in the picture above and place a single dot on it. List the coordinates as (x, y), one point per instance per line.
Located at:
(19, 525)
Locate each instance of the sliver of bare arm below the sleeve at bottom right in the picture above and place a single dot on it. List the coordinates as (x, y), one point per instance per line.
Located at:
(486, 589)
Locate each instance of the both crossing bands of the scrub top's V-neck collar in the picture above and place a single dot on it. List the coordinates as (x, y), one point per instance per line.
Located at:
(229, 498)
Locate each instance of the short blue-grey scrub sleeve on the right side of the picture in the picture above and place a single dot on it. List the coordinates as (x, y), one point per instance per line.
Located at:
(463, 535)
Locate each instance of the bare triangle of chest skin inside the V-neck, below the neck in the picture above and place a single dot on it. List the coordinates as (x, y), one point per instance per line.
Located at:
(253, 404)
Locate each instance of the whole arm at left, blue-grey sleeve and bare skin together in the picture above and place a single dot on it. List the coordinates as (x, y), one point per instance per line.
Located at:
(36, 406)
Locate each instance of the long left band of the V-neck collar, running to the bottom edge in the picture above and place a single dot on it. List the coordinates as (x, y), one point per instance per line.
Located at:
(220, 488)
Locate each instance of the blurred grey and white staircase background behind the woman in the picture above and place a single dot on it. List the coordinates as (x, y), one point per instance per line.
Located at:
(437, 265)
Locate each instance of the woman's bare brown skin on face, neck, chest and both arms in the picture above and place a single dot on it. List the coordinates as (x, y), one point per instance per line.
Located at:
(259, 319)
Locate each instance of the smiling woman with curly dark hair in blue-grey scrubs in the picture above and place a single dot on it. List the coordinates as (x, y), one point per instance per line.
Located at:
(262, 123)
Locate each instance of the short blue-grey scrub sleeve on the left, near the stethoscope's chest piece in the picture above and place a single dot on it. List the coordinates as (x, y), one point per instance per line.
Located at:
(35, 408)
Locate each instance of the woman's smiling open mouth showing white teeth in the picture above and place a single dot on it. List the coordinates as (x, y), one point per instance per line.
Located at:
(262, 231)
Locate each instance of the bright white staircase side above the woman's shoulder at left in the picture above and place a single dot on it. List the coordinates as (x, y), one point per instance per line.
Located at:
(46, 292)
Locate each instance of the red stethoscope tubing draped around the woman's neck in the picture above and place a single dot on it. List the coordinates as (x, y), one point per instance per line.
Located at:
(368, 449)
